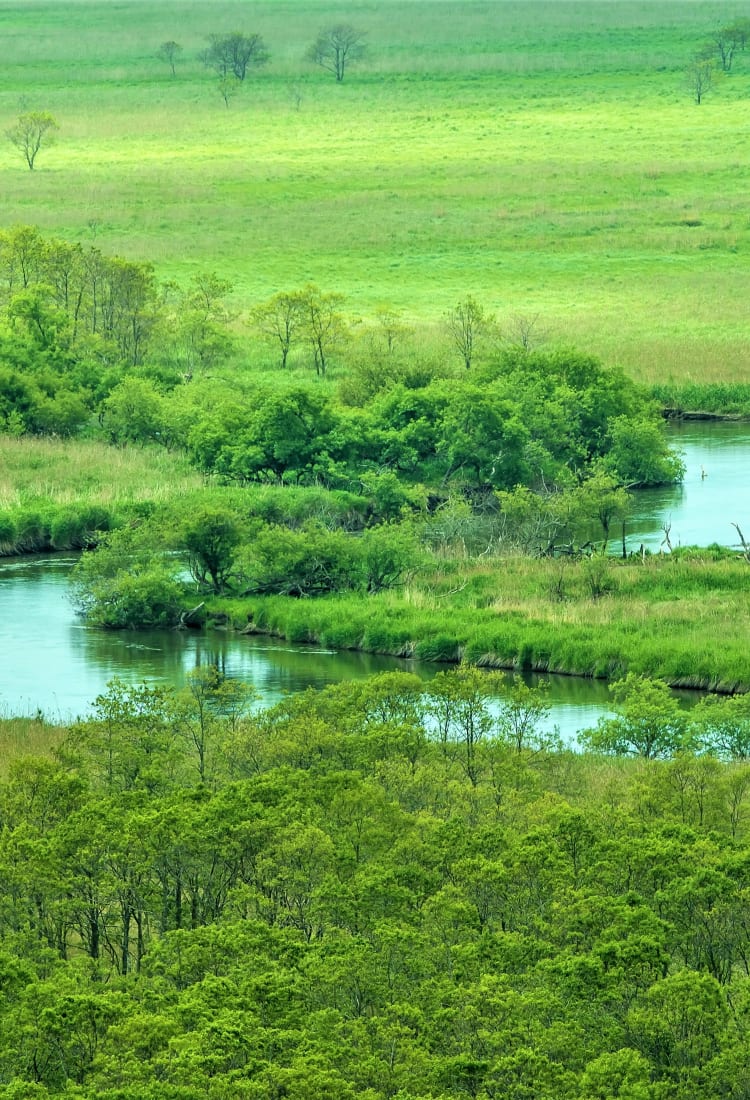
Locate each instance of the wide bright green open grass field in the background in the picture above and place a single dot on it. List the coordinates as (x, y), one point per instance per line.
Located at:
(546, 158)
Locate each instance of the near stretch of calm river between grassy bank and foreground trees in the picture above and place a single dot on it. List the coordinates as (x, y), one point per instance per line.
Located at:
(54, 663)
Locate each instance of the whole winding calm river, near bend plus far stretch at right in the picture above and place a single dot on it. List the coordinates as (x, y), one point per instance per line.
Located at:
(53, 663)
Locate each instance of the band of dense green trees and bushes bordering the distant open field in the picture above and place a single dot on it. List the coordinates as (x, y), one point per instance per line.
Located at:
(87, 339)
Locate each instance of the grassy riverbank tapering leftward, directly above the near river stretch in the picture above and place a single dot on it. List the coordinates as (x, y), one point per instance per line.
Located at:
(685, 619)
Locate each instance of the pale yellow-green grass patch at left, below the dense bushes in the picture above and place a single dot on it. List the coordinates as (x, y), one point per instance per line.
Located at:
(49, 471)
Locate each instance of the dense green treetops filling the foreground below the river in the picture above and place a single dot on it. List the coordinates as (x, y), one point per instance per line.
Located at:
(381, 890)
